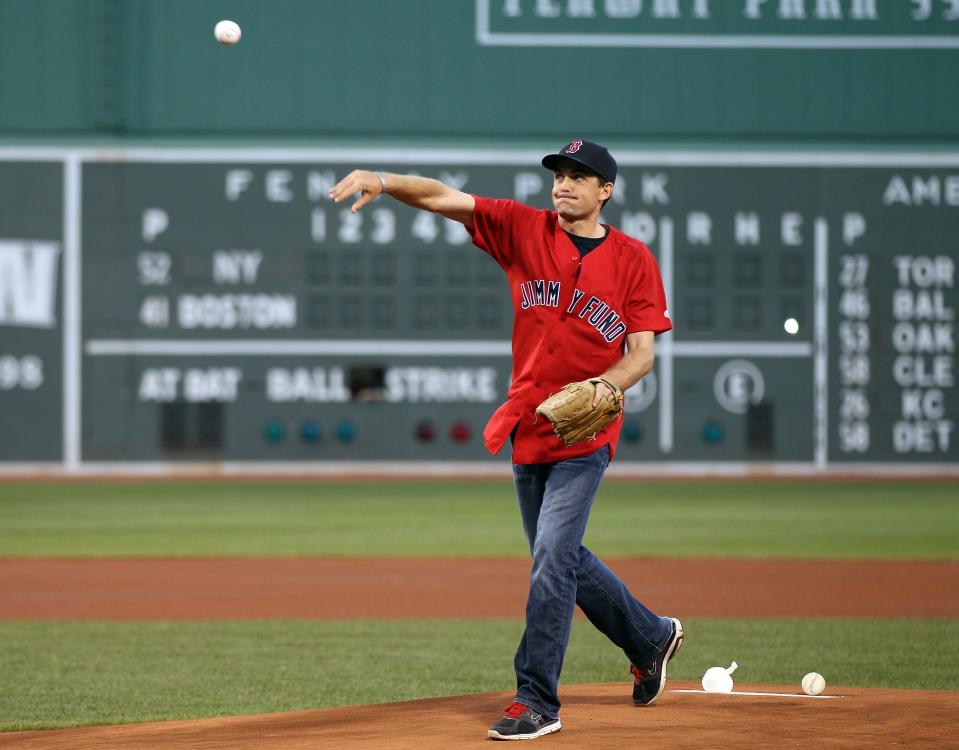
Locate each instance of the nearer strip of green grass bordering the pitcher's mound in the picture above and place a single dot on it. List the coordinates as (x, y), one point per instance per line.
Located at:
(78, 673)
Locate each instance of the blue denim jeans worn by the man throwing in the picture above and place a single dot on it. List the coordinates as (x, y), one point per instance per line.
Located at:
(554, 502)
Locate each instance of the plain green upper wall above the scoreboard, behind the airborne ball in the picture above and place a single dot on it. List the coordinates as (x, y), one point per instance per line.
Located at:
(415, 68)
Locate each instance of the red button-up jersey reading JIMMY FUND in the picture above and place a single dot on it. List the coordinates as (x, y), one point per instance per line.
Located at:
(571, 315)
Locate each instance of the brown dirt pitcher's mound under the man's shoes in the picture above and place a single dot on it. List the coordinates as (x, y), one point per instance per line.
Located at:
(594, 716)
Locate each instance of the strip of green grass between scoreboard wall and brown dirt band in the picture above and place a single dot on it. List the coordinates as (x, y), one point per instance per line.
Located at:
(788, 519)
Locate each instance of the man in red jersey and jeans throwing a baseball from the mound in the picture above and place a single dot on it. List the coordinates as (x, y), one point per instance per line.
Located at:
(587, 302)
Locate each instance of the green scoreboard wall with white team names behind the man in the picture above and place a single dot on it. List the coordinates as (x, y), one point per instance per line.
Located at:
(163, 306)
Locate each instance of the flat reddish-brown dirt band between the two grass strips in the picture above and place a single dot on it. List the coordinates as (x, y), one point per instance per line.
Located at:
(189, 589)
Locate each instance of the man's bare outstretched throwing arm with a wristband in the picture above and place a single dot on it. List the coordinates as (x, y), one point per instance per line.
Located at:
(419, 192)
